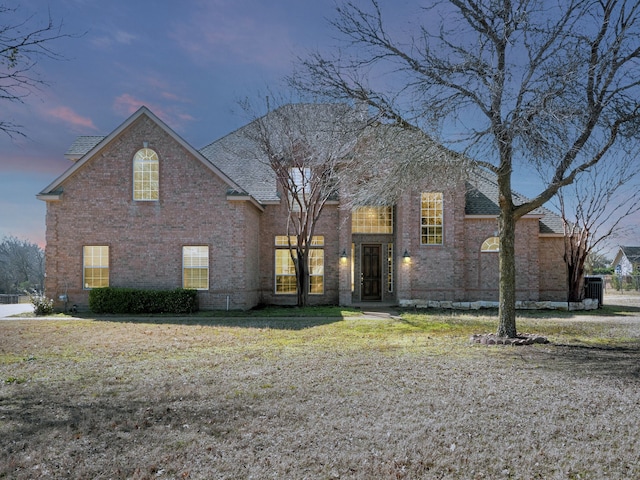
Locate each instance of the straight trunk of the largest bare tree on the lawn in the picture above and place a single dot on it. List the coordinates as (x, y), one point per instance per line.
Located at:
(507, 299)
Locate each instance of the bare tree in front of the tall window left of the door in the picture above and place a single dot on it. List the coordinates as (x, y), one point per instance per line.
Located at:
(305, 145)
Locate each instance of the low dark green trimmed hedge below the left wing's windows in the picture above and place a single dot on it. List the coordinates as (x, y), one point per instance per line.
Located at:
(130, 300)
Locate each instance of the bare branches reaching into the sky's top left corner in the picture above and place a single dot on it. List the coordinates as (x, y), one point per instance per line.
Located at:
(22, 43)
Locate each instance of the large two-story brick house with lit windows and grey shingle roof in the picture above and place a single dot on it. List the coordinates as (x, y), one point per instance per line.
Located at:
(142, 208)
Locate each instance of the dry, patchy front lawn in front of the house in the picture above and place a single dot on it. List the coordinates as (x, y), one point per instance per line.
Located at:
(319, 398)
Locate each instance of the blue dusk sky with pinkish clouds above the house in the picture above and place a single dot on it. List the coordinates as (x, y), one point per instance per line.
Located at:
(189, 61)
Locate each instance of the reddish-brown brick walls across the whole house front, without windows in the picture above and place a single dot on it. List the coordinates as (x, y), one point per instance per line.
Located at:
(146, 238)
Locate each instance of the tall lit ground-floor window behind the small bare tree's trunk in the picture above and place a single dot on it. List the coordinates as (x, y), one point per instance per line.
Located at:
(286, 271)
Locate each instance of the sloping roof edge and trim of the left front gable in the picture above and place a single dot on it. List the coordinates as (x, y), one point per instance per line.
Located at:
(84, 148)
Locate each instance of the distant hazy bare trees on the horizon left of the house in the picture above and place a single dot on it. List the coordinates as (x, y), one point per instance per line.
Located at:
(21, 266)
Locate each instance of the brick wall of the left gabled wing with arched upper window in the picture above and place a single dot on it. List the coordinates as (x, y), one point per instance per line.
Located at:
(145, 239)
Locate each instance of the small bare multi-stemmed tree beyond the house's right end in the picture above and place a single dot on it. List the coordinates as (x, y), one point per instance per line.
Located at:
(593, 212)
